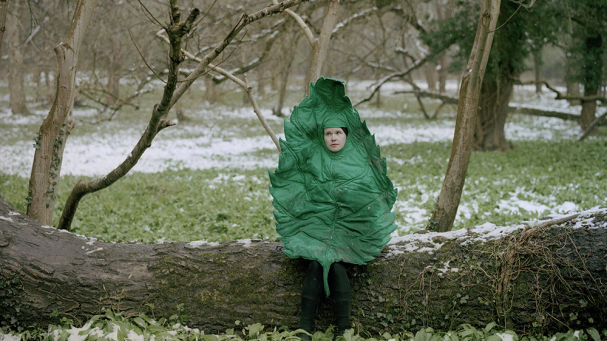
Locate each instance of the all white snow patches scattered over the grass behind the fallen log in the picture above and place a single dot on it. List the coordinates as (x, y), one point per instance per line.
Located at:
(211, 146)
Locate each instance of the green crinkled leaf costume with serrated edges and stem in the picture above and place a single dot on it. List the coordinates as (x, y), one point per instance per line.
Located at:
(331, 206)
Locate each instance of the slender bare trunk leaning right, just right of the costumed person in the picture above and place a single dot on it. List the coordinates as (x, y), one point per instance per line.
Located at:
(451, 191)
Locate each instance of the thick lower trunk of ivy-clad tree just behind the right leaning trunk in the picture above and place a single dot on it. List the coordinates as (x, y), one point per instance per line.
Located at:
(489, 133)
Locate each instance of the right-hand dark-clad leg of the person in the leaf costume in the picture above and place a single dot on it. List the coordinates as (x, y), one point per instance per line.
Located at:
(339, 284)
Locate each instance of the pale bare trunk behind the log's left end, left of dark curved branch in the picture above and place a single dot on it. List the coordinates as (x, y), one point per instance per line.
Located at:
(51, 138)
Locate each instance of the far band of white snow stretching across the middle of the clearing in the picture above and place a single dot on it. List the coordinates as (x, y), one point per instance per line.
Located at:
(98, 153)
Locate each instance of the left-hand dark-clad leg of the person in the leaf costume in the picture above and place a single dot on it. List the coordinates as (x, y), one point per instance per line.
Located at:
(311, 294)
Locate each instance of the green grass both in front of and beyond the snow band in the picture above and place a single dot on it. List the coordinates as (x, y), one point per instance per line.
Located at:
(219, 204)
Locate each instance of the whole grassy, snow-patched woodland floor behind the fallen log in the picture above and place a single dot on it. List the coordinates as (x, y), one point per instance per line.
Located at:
(223, 151)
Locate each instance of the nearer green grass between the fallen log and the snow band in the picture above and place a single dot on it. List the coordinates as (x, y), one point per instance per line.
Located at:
(220, 205)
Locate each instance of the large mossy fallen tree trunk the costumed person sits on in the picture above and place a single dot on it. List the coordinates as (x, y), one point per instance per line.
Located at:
(524, 277)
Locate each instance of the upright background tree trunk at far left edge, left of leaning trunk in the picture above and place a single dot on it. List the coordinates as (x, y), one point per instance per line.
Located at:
(16, 75)
